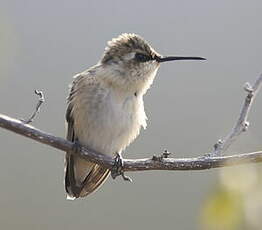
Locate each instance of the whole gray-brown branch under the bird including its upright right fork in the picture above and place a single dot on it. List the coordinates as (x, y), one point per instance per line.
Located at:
(212, 160)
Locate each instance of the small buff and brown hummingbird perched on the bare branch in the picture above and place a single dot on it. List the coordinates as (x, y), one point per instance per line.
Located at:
(105, 108)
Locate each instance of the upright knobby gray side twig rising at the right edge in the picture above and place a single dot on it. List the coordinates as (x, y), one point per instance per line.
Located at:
(242, 123)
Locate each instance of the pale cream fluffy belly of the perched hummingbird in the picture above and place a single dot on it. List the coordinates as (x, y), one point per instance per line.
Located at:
(112, 126)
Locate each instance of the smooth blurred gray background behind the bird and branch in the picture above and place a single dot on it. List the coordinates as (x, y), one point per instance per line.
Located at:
(190, 105)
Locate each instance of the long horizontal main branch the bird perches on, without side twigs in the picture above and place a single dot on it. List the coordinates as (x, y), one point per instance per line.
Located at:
(198, 163)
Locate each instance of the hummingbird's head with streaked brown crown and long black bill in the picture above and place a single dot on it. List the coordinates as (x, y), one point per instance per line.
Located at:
(132, 62)
